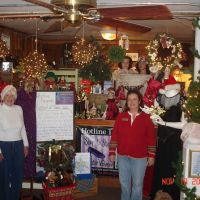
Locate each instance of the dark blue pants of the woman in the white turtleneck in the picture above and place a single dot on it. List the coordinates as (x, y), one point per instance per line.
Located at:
(11, 170)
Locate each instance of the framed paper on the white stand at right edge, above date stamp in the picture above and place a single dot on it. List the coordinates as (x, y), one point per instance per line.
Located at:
(194, 163)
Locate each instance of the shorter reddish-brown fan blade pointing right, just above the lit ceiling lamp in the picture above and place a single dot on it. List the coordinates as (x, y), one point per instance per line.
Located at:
(122, 26)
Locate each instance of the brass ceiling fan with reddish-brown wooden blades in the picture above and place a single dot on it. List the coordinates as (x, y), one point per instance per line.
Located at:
(74, 11)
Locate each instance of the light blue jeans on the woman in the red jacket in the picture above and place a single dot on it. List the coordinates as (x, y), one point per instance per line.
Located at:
(131, 176)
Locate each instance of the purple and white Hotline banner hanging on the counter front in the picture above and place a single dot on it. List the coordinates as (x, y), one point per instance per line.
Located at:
(96, 141)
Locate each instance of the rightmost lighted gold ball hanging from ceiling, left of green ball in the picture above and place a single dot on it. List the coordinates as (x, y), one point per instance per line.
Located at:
(83, 52)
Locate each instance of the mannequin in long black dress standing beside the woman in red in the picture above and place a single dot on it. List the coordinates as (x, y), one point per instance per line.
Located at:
(169, 142)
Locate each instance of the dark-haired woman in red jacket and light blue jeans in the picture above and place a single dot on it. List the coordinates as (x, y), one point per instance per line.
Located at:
(134, 137)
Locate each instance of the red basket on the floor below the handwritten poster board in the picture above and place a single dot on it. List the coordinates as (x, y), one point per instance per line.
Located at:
(58, 193)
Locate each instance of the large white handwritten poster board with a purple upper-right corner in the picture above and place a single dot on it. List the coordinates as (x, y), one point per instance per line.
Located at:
(55, 115)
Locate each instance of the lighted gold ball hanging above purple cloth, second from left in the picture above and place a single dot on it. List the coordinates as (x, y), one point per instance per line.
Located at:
(34, 65)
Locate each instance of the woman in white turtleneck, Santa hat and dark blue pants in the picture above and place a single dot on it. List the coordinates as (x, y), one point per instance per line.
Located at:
(13, 145)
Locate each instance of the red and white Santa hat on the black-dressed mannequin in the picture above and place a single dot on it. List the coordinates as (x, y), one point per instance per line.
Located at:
(171, 87)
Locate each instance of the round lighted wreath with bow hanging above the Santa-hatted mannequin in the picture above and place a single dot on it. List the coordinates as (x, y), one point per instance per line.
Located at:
(164, 51)
